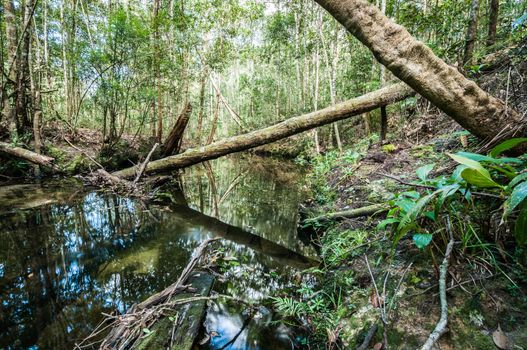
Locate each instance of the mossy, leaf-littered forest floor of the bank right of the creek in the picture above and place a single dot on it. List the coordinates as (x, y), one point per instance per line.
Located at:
(487, 277)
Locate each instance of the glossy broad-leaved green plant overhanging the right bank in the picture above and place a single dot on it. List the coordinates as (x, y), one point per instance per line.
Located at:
(416, 213)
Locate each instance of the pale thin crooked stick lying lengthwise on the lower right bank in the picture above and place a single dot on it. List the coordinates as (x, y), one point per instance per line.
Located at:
(440, 328)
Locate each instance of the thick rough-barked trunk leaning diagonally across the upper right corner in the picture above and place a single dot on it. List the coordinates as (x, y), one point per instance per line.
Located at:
(414, 63)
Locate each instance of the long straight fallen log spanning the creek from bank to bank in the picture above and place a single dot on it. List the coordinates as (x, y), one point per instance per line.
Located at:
(289, 127)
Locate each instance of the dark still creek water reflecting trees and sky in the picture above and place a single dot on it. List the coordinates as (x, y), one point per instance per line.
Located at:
(69, 254)
